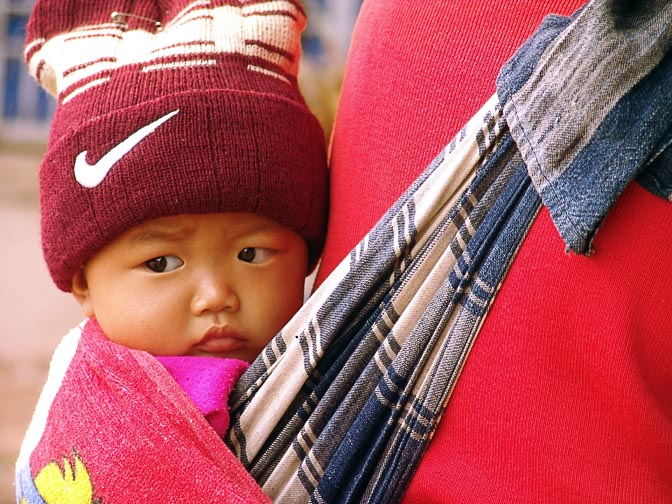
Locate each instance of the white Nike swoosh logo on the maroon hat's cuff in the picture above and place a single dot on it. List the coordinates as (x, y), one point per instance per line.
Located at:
(91, 175)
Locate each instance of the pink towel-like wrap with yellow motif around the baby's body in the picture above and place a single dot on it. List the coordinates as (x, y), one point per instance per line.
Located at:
(113, 426)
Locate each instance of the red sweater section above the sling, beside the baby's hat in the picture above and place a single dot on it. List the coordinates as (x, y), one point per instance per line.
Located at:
(416, 72)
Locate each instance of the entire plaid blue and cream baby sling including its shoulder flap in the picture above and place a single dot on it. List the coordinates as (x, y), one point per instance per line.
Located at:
(341, 405)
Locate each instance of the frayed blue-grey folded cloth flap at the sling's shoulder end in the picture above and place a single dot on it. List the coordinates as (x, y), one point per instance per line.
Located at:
(588, 103)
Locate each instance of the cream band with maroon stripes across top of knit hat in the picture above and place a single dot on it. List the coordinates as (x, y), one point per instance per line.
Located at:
(266, 32)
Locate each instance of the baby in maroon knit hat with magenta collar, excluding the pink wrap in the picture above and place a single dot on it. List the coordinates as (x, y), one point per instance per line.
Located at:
(183, 192)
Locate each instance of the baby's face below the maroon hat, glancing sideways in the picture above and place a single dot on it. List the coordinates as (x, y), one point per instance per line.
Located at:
(216, 284)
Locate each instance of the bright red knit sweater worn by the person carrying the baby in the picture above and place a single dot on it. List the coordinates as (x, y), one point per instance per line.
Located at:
(567, 393)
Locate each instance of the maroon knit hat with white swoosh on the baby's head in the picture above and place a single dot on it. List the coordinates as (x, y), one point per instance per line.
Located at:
(169, 107)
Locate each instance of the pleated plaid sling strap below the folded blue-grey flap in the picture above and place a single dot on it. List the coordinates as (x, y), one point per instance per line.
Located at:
(360, 377)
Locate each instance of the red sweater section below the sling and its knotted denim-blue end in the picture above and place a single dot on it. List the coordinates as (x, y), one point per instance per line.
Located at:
(567, 394)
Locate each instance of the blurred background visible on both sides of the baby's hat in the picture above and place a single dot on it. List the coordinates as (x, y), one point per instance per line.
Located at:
(33, 313)
